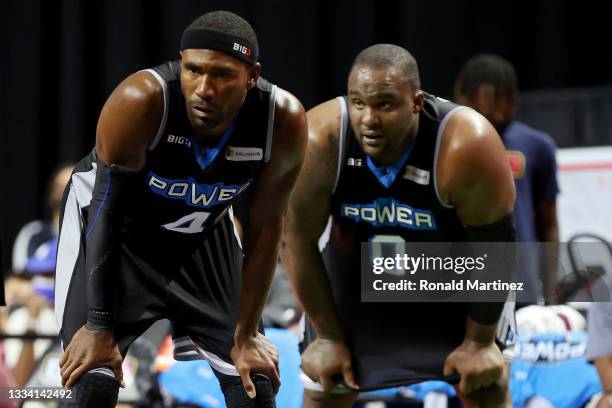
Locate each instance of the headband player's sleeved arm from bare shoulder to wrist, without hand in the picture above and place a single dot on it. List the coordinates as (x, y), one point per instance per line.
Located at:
(128, 123)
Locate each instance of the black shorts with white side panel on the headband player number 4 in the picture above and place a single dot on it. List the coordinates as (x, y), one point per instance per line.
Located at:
(193, 284)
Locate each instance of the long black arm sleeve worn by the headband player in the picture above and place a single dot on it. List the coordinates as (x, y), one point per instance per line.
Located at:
(101, 238)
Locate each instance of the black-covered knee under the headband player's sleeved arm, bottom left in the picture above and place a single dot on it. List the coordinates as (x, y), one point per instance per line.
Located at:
(95, 390)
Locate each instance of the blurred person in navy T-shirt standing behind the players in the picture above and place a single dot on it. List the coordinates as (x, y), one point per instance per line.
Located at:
(489, 84)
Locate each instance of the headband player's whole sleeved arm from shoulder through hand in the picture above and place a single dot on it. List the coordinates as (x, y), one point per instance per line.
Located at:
(128, 123)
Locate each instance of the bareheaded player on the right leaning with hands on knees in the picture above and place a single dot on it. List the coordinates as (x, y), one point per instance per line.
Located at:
(389, 144)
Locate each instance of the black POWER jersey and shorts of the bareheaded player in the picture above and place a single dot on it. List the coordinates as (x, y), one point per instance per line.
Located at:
(392, 341)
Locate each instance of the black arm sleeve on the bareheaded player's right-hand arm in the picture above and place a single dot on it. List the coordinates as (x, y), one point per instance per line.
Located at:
(501, 230)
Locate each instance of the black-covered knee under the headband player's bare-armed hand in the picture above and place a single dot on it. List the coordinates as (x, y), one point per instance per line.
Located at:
(236, 396)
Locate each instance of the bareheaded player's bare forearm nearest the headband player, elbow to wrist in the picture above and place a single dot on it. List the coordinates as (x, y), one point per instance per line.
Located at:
(306, 271)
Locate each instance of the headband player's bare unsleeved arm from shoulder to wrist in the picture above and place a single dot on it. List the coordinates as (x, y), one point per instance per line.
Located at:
(267, 210)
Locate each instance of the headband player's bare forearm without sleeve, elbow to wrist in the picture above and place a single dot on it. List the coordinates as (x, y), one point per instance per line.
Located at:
(261, 256)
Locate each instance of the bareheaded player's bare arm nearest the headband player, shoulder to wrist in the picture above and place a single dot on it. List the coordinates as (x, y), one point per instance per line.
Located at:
(309, 209)
